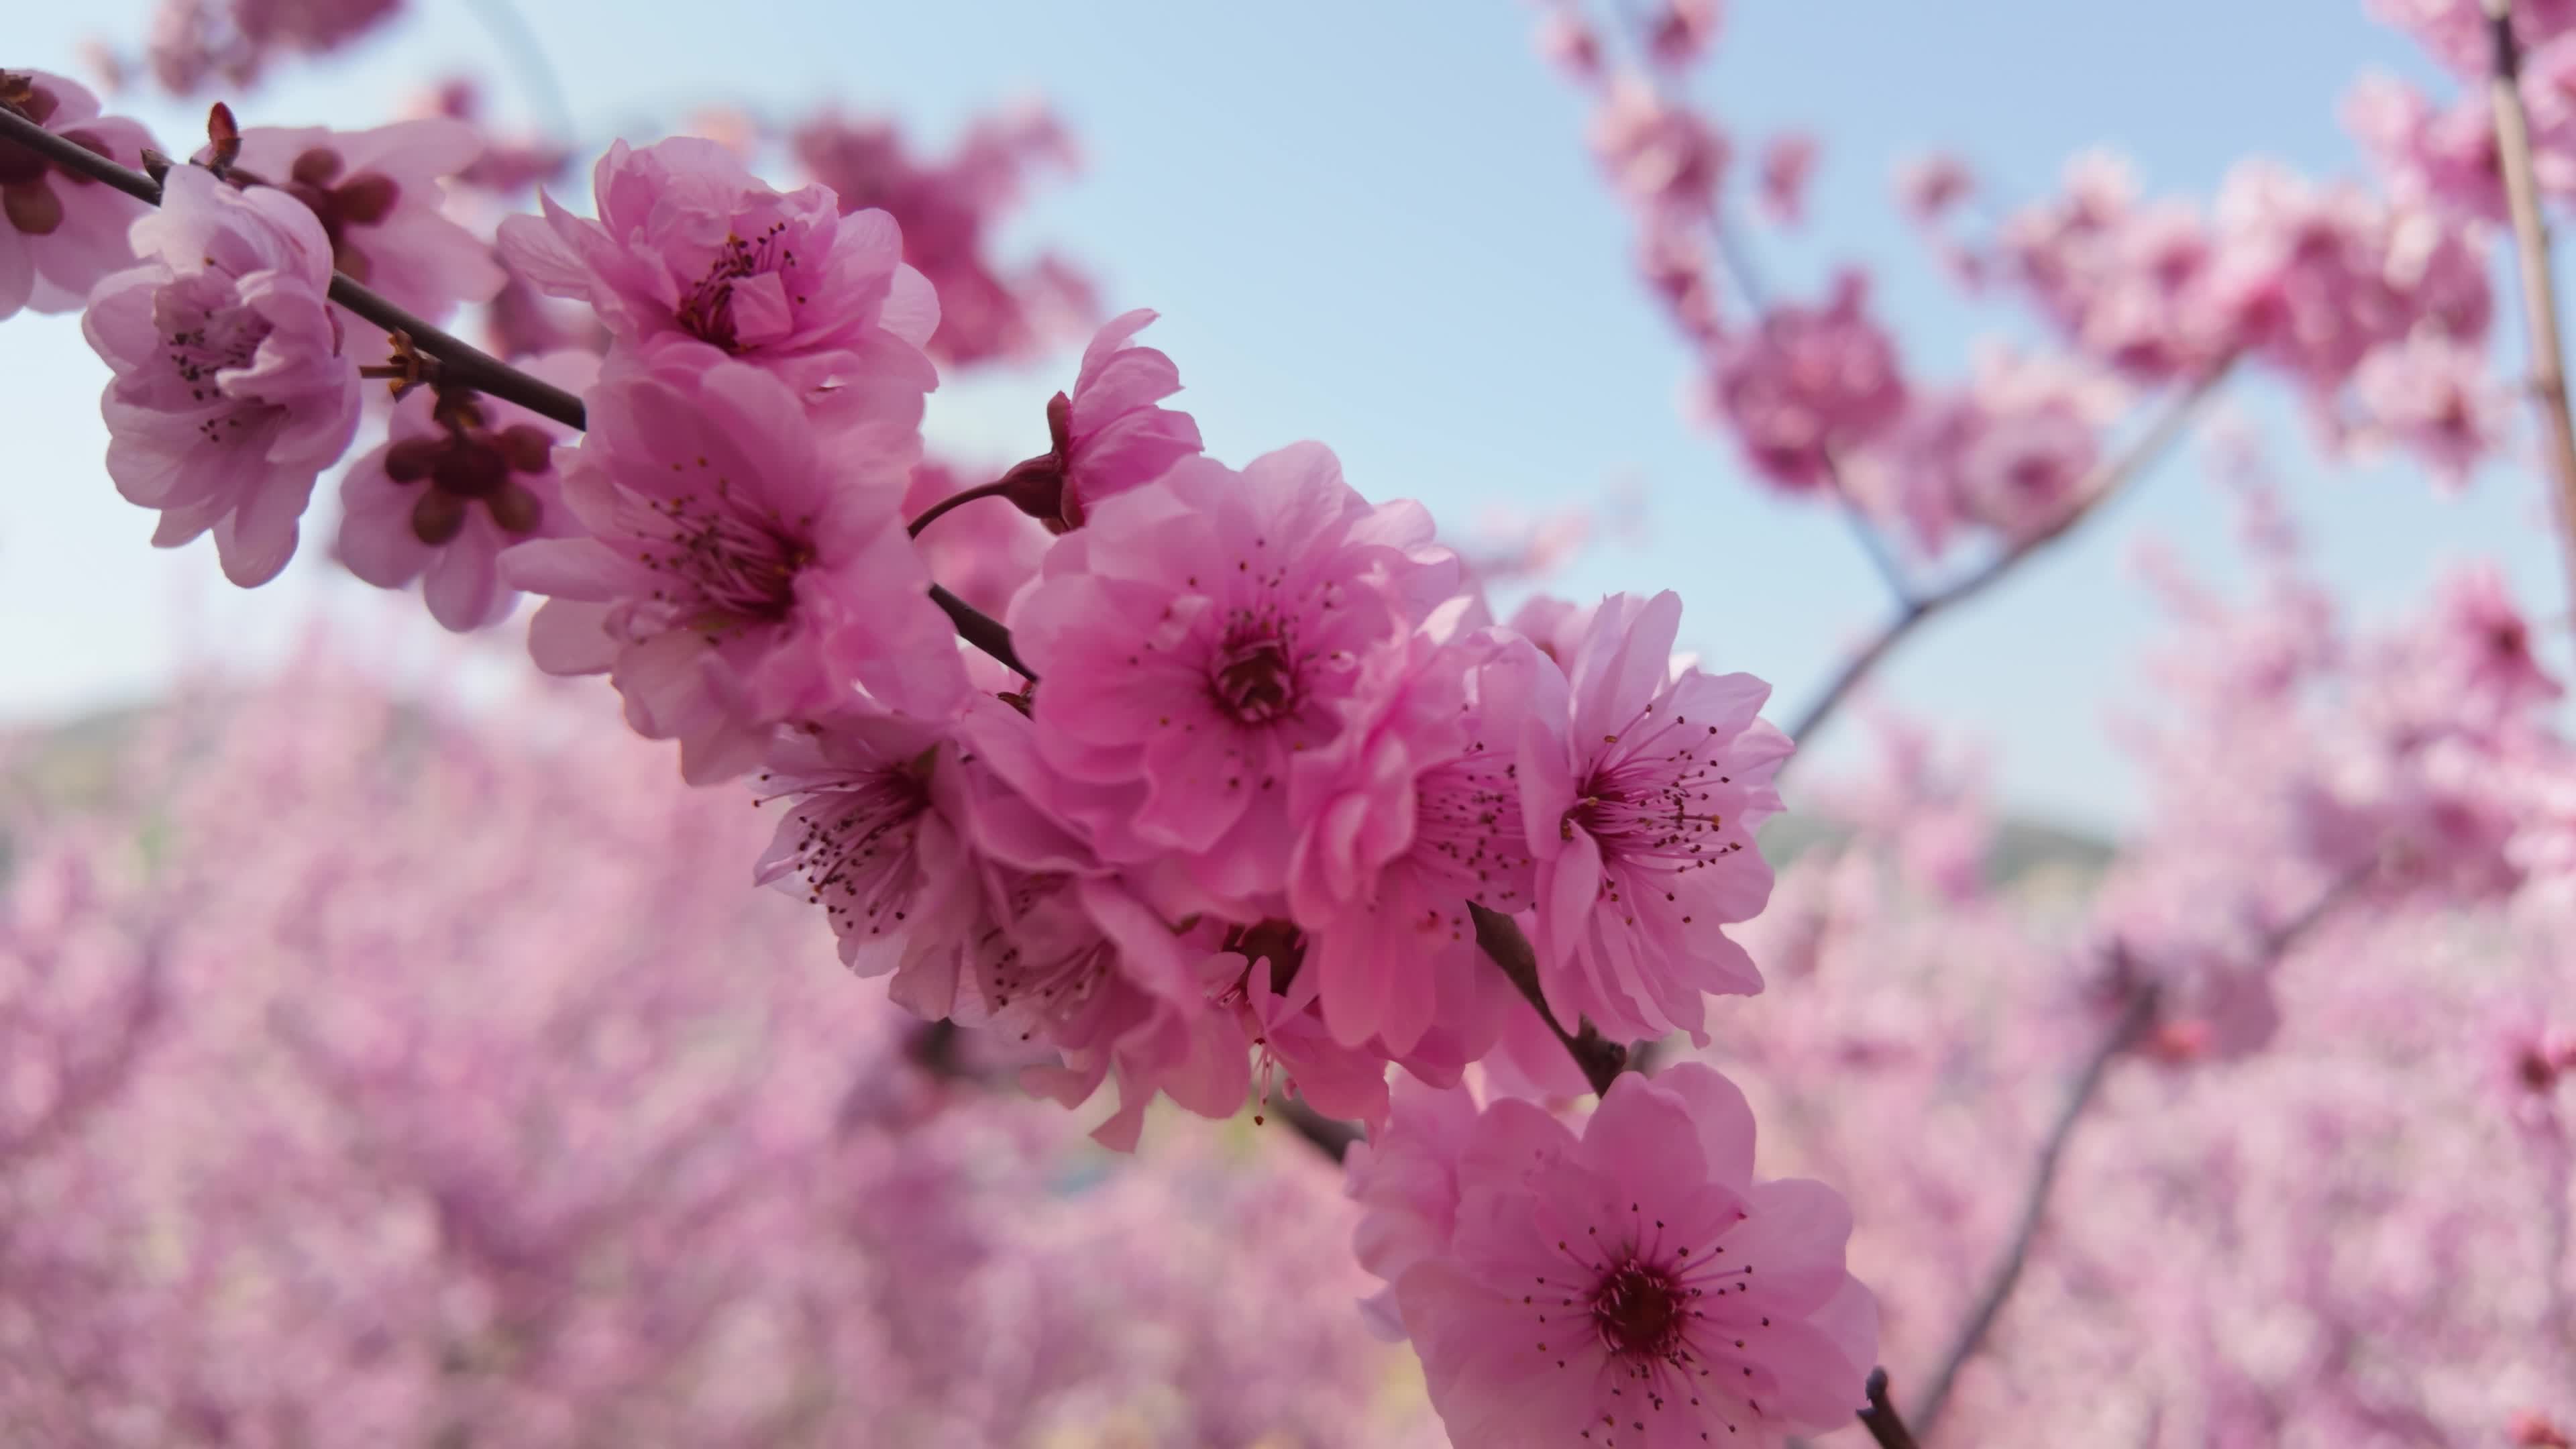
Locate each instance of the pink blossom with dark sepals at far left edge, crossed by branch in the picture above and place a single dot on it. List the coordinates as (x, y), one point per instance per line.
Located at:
(61, 231)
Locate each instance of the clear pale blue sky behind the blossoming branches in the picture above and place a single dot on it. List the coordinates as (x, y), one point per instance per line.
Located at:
(1377, 223)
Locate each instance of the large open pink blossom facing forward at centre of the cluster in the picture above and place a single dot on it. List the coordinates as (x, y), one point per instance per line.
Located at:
(1199, 636)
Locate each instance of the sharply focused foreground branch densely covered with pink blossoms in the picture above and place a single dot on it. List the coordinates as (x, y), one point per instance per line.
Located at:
(1251, 811)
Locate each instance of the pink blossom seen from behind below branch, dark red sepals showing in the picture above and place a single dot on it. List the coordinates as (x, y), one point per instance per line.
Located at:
(460, 481)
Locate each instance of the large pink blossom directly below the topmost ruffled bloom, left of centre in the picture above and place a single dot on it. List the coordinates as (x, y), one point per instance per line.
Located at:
(741, 571)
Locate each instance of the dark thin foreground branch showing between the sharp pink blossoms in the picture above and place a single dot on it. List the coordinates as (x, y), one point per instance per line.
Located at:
(465, 365)
